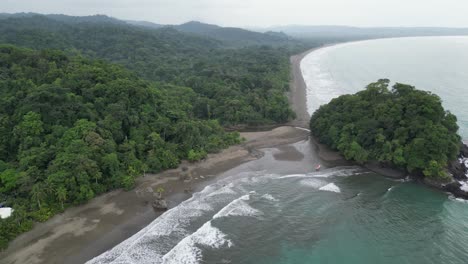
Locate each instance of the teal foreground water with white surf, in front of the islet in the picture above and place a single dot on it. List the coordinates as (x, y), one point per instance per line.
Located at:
(281, 211)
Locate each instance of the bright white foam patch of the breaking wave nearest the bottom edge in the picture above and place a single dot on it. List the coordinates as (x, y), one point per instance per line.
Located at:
(187, 250)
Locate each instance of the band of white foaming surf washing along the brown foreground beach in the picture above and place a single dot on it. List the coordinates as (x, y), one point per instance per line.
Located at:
(177, 237)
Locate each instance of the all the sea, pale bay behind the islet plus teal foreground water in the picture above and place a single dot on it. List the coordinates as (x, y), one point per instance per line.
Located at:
(279, 211)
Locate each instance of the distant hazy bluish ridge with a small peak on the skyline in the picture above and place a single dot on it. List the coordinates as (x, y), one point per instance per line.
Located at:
(233, 36)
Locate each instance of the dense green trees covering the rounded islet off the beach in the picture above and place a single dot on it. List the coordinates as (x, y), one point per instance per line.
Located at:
(402, 127)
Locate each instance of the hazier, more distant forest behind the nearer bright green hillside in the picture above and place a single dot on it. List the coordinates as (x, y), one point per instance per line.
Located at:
(243, 85)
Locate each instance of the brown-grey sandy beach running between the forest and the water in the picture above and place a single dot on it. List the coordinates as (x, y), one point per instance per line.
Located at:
(83, 232)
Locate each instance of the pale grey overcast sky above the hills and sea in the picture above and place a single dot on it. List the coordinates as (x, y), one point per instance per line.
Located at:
(450, 13)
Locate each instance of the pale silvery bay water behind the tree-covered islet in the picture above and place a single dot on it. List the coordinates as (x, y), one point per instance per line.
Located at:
(436, 64)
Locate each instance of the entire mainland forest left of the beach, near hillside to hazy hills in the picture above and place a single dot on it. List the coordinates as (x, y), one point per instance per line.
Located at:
(89, 105)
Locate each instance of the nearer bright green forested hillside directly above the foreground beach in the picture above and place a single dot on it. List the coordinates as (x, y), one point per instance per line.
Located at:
(72, 128)
